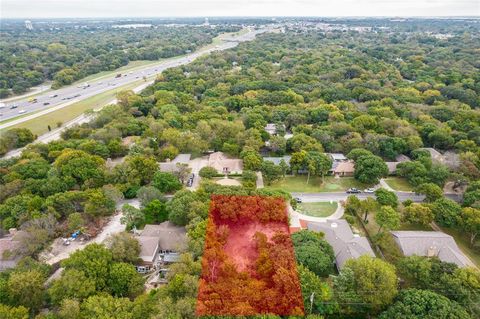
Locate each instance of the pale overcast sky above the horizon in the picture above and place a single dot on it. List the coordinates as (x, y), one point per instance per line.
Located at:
(210, 8)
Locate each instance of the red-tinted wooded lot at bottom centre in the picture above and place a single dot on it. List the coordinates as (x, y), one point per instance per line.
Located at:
(248, 265)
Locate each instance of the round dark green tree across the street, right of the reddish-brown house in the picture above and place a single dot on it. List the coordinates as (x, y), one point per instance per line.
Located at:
(369, 169)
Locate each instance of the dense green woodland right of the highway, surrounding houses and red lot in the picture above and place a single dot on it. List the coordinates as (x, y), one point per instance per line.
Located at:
(371, 95)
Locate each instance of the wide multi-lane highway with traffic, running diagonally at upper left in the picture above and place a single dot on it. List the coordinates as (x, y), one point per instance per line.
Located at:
(65, 96)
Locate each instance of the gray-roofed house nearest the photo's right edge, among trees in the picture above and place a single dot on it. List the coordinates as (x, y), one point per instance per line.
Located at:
(430, 244)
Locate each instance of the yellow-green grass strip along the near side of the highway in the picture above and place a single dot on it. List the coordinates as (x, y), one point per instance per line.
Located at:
(40, 124)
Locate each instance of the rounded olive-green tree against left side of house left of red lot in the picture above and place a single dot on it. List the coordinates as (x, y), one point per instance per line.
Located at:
(124, 247)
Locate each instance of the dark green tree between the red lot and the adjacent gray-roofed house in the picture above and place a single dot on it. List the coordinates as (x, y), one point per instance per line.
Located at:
(313, 252)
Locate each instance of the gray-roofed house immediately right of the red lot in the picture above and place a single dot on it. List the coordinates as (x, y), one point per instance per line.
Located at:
(346, 245)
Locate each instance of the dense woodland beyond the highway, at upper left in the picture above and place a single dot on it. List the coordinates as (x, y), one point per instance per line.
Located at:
(65, 55)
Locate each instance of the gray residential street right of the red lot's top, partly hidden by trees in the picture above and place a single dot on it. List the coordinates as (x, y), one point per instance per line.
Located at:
(337, 196)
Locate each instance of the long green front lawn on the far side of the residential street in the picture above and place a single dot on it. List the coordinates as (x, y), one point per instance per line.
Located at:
(298, 184)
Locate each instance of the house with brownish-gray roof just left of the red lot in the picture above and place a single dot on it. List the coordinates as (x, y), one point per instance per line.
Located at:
(160, 244)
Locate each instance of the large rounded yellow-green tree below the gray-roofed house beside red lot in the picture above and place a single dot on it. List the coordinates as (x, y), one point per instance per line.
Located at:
(372, 280)
